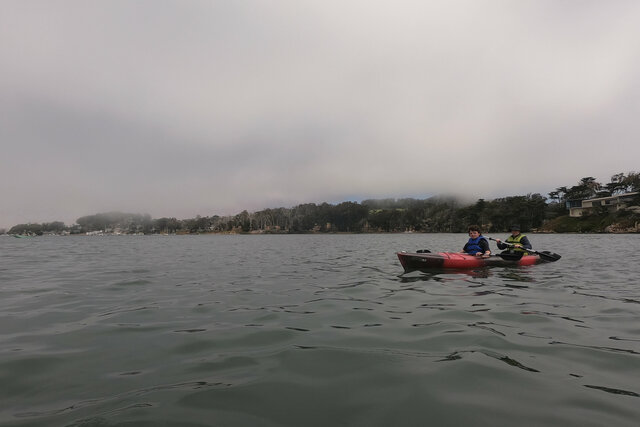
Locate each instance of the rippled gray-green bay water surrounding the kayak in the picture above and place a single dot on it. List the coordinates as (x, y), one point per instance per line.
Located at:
(315, 330)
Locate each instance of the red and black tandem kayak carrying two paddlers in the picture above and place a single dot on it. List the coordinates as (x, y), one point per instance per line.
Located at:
(412, 261)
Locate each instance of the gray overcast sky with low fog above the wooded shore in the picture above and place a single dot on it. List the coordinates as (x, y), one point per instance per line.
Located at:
(184, 108)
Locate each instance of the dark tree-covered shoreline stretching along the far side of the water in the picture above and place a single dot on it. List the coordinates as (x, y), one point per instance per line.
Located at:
(441, 214)
